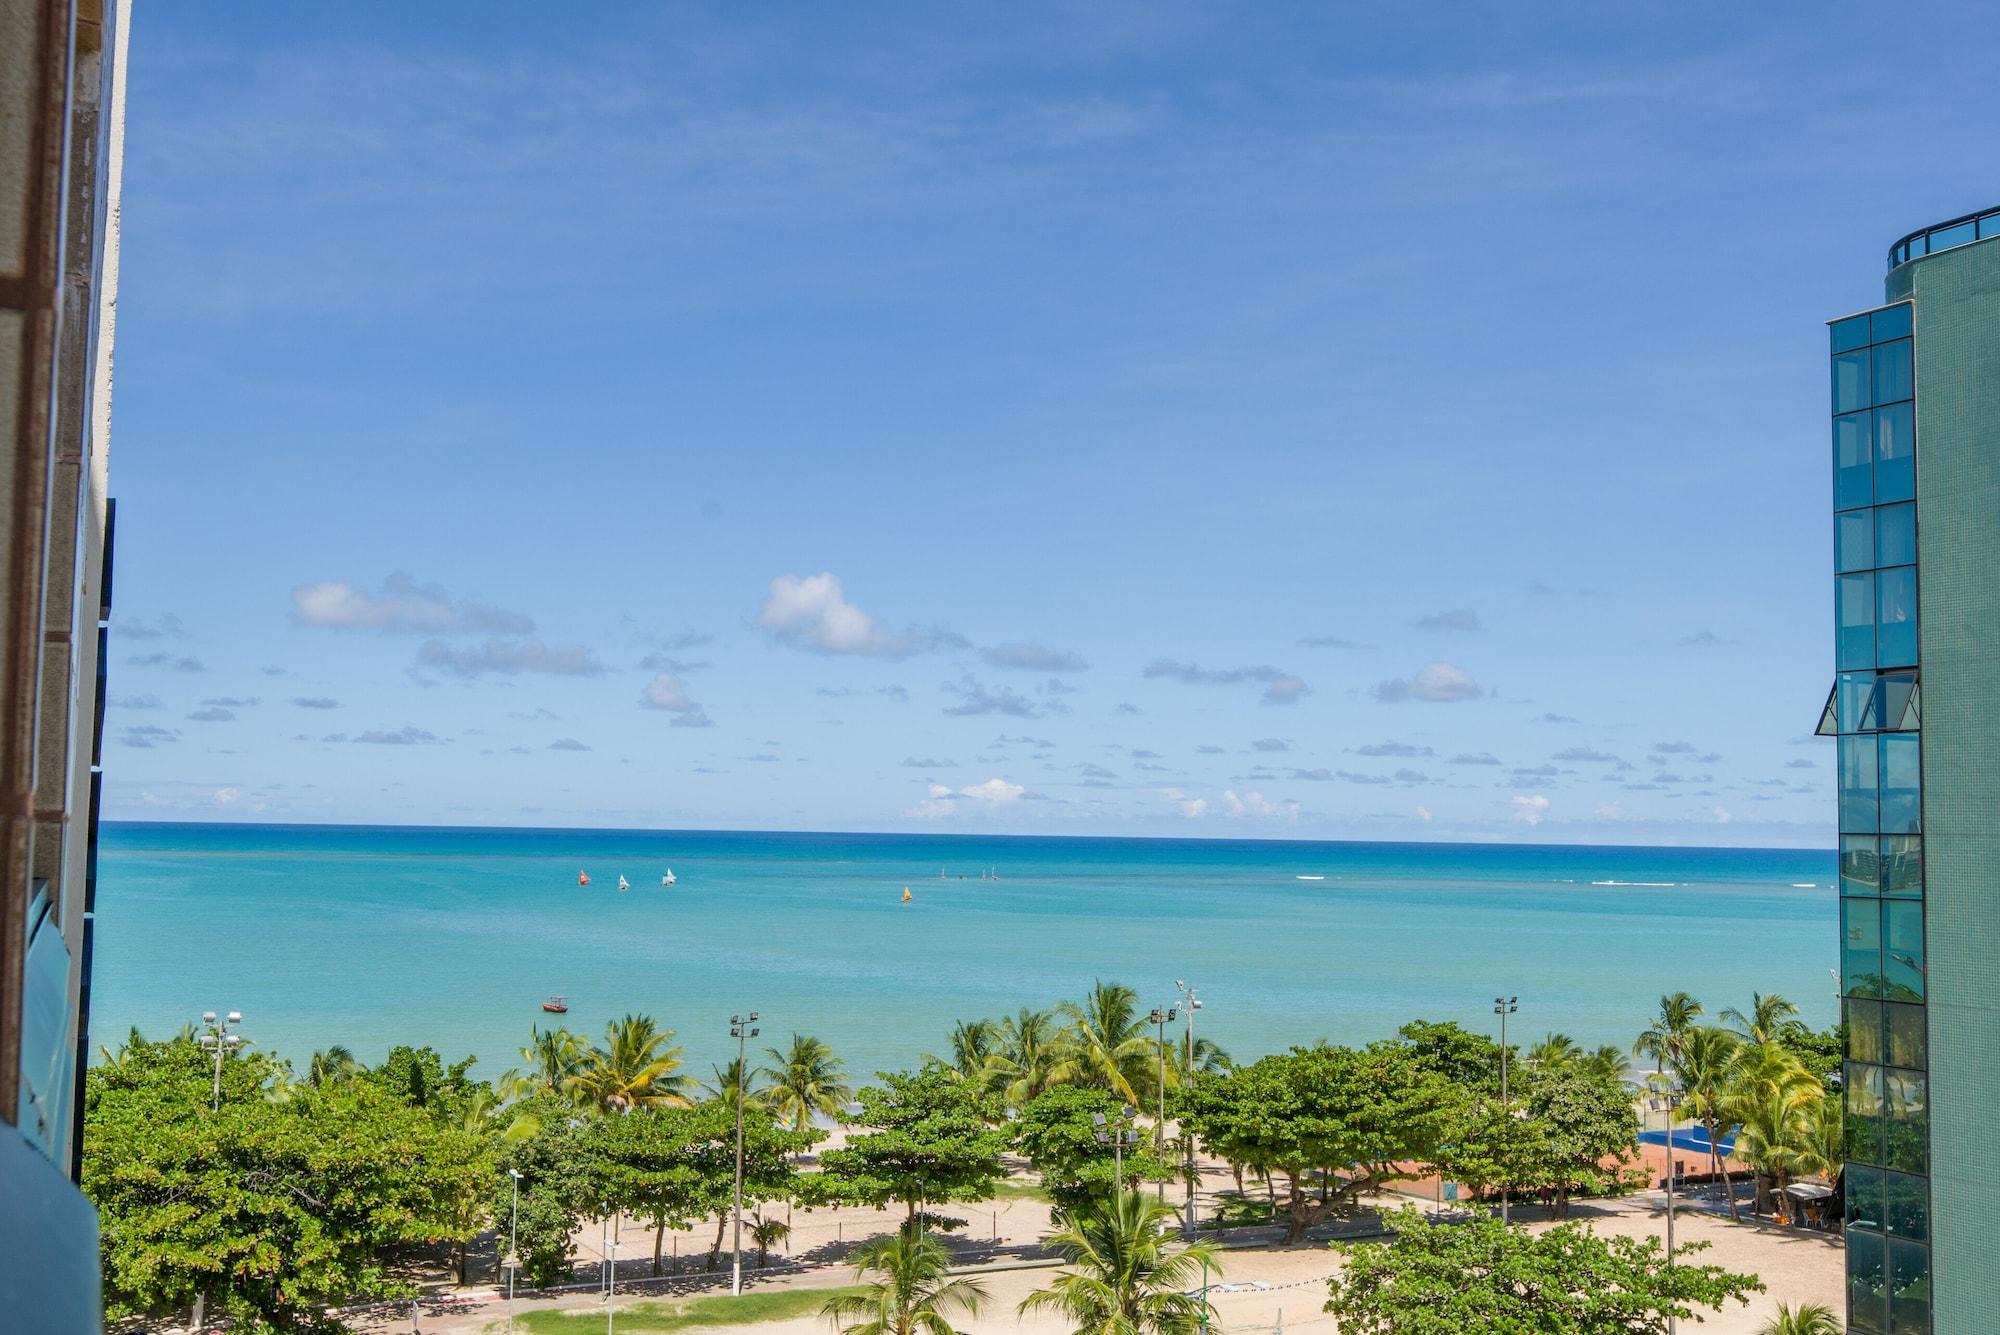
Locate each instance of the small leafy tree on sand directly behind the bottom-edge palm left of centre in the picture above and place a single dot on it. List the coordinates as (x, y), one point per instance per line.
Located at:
(923, 1136)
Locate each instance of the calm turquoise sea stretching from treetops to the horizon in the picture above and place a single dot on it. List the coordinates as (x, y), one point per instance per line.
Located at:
(373, 936)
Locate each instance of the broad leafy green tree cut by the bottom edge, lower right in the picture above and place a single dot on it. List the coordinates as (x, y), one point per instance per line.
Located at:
(1485, 1278)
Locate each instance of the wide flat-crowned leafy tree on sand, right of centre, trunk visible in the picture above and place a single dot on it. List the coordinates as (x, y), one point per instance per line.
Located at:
(1325, 1112)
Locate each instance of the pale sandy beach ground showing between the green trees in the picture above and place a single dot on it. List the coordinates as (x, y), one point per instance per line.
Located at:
(1263, 1286)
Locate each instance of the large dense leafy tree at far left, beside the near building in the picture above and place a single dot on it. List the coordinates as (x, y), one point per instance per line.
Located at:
(271, 1210)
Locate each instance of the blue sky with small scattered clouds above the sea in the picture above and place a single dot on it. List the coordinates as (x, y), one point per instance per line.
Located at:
(1215, 421)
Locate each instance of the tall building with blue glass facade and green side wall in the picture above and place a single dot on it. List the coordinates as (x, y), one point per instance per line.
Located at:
(1915, 708)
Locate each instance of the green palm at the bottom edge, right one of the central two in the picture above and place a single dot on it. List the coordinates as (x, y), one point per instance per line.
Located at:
(1123, 1280)
